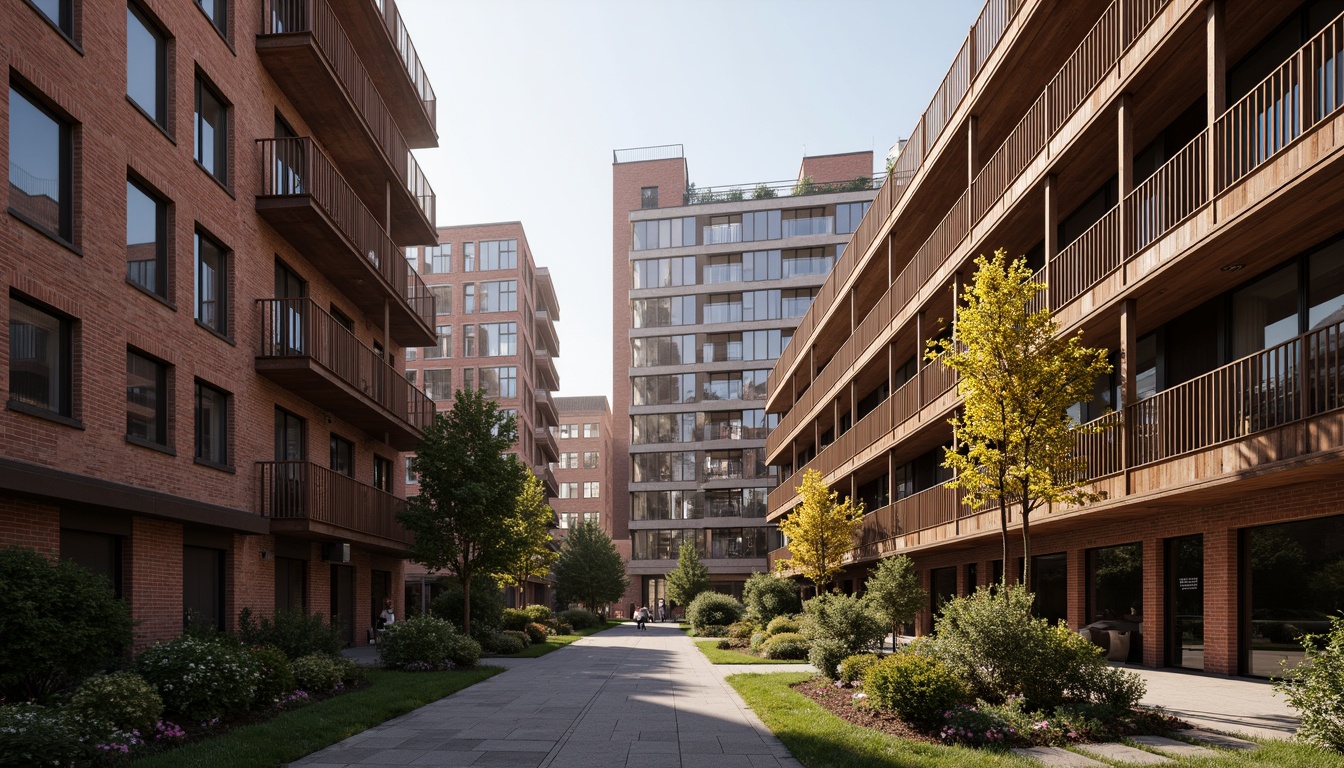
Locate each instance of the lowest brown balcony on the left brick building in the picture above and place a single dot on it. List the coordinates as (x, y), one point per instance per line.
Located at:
(308, 501)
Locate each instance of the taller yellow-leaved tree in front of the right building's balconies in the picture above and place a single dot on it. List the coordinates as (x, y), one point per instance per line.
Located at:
(1015, 439)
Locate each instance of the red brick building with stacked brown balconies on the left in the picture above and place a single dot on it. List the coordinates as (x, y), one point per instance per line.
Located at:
(210, 410)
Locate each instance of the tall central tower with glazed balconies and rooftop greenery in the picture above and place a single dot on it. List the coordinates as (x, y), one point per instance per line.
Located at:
(709, 286)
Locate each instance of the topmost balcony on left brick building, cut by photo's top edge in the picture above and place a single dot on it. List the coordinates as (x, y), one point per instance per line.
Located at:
(380, 34)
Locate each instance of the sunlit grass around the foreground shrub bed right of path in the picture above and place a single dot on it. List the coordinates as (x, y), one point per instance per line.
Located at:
(822, 740)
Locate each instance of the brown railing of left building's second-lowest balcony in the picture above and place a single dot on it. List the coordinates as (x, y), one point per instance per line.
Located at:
(300, 329)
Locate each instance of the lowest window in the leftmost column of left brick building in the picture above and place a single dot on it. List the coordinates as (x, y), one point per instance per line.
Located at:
(40, 358)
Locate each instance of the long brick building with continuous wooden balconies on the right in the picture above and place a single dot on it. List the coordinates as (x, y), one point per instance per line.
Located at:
(1173, 170)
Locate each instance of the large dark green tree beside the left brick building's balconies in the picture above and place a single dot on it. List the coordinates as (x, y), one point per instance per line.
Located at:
(463, 520)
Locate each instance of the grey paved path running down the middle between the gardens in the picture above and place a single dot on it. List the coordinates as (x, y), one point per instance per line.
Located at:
(623, 697)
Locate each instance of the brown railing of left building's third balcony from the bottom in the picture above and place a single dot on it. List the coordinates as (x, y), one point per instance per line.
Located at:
(298, 167)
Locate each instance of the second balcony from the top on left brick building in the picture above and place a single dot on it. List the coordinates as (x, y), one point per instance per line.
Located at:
(312, 61)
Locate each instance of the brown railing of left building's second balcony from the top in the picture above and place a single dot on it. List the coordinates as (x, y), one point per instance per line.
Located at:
(317, 18)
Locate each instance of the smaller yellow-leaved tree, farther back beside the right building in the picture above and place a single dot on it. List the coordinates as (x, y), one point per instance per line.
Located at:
(821, 531)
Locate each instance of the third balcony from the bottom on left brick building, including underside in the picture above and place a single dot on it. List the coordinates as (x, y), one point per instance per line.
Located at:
(308, 202)
